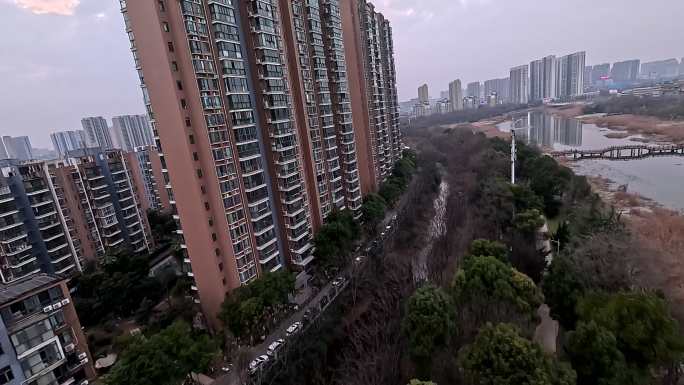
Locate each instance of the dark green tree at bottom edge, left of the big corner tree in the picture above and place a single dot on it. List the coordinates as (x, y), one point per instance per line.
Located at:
(594, 354)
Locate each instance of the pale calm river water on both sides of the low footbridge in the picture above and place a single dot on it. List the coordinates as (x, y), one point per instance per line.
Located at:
(660, 179)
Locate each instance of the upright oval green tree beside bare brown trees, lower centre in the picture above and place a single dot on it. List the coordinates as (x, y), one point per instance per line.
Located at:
(428, 322)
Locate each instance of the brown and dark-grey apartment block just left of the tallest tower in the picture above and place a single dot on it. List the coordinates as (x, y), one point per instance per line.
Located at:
(101, 202)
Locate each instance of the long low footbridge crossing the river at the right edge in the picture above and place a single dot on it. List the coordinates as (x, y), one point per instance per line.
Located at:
(626, 152)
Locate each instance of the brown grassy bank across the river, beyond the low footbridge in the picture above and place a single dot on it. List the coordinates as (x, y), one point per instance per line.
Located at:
(651, 128)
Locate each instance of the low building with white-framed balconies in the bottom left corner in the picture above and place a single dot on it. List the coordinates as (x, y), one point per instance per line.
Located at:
(40, 335)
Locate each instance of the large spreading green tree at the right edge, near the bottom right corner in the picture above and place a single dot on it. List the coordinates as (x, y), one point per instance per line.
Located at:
(645, 331)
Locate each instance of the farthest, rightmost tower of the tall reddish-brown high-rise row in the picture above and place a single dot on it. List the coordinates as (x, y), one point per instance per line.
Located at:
(369, 51)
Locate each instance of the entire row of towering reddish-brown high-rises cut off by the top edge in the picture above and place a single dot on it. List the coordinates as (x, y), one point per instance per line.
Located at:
(262, 135)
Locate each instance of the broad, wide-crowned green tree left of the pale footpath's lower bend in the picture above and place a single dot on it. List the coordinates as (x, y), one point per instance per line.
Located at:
(491, 290)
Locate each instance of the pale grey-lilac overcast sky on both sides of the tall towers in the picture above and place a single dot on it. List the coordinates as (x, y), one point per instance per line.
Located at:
(61, 60)
